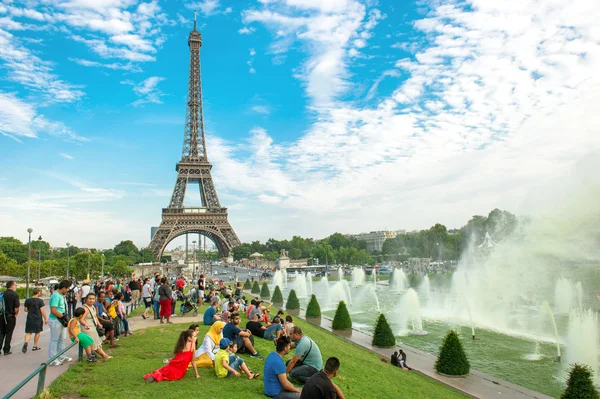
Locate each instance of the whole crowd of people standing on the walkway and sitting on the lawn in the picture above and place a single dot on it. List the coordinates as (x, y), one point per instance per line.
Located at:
(94, 316)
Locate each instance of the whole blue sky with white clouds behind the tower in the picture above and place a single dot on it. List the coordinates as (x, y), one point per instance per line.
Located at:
(321, 115)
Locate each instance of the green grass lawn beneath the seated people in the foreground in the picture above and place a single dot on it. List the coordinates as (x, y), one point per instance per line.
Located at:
(362, 373)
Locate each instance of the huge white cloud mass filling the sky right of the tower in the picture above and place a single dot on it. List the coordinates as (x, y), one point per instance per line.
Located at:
(498, 100)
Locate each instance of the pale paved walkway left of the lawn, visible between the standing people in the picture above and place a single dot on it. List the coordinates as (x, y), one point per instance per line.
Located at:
(14, 368)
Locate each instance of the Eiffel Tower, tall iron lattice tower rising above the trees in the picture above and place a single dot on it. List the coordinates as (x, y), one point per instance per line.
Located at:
(210, 219)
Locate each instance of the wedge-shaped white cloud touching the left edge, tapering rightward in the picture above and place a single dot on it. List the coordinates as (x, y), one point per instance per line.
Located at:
(20, 119)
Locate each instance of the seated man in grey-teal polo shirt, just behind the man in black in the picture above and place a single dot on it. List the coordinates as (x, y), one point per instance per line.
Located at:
(307, 358)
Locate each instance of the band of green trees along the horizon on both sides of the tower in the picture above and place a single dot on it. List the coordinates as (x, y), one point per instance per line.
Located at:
(437, 243)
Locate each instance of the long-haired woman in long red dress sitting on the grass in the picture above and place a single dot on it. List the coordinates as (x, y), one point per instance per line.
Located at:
(184, 354)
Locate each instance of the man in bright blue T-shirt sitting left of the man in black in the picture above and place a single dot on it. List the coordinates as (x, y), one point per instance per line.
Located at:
(275, 379)
